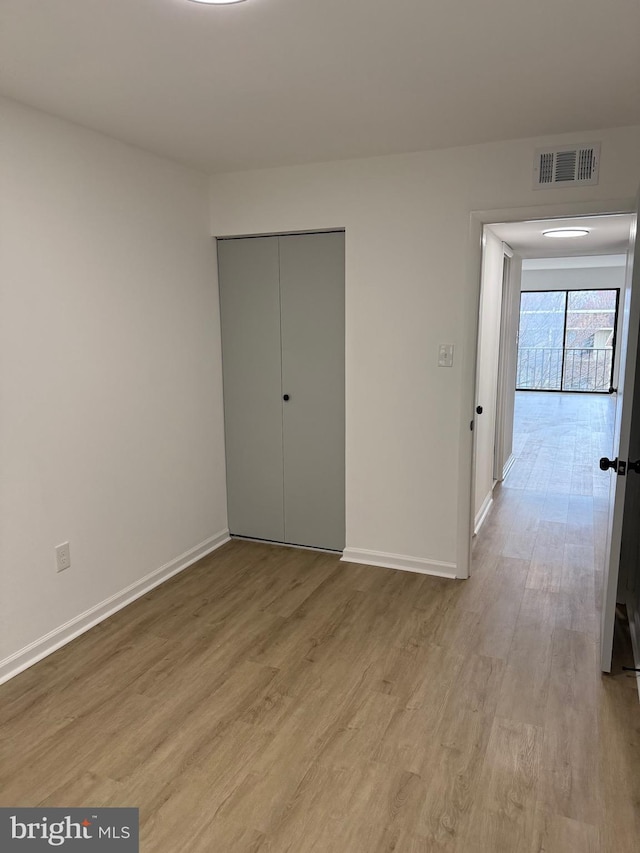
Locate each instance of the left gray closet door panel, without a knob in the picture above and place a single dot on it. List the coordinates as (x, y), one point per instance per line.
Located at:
(251, 363)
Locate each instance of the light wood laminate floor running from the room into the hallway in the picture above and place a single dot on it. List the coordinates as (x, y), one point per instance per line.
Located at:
(270, 699)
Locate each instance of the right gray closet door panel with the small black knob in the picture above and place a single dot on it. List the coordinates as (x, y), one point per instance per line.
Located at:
(313, 370)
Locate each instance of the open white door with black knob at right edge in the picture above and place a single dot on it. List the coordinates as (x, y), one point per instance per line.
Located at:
(619, 536)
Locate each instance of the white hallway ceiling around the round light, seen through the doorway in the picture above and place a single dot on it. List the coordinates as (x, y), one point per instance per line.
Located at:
(607, 235)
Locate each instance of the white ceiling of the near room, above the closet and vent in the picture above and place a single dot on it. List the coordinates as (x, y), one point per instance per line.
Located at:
(270, 82)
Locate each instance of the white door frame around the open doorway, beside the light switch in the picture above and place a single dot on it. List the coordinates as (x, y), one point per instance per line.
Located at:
(469, 322)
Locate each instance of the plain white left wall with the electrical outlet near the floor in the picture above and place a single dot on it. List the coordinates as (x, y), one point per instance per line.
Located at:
(110, 379)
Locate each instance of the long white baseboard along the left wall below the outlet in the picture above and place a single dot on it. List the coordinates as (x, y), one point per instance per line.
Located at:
(51, 642)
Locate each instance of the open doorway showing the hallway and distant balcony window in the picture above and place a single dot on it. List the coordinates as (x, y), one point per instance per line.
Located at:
(547, 374)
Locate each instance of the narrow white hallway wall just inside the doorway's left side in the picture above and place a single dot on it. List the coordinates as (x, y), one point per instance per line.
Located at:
(487, 372)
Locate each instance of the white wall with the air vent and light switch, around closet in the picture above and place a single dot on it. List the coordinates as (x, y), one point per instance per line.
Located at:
(412, 275)
